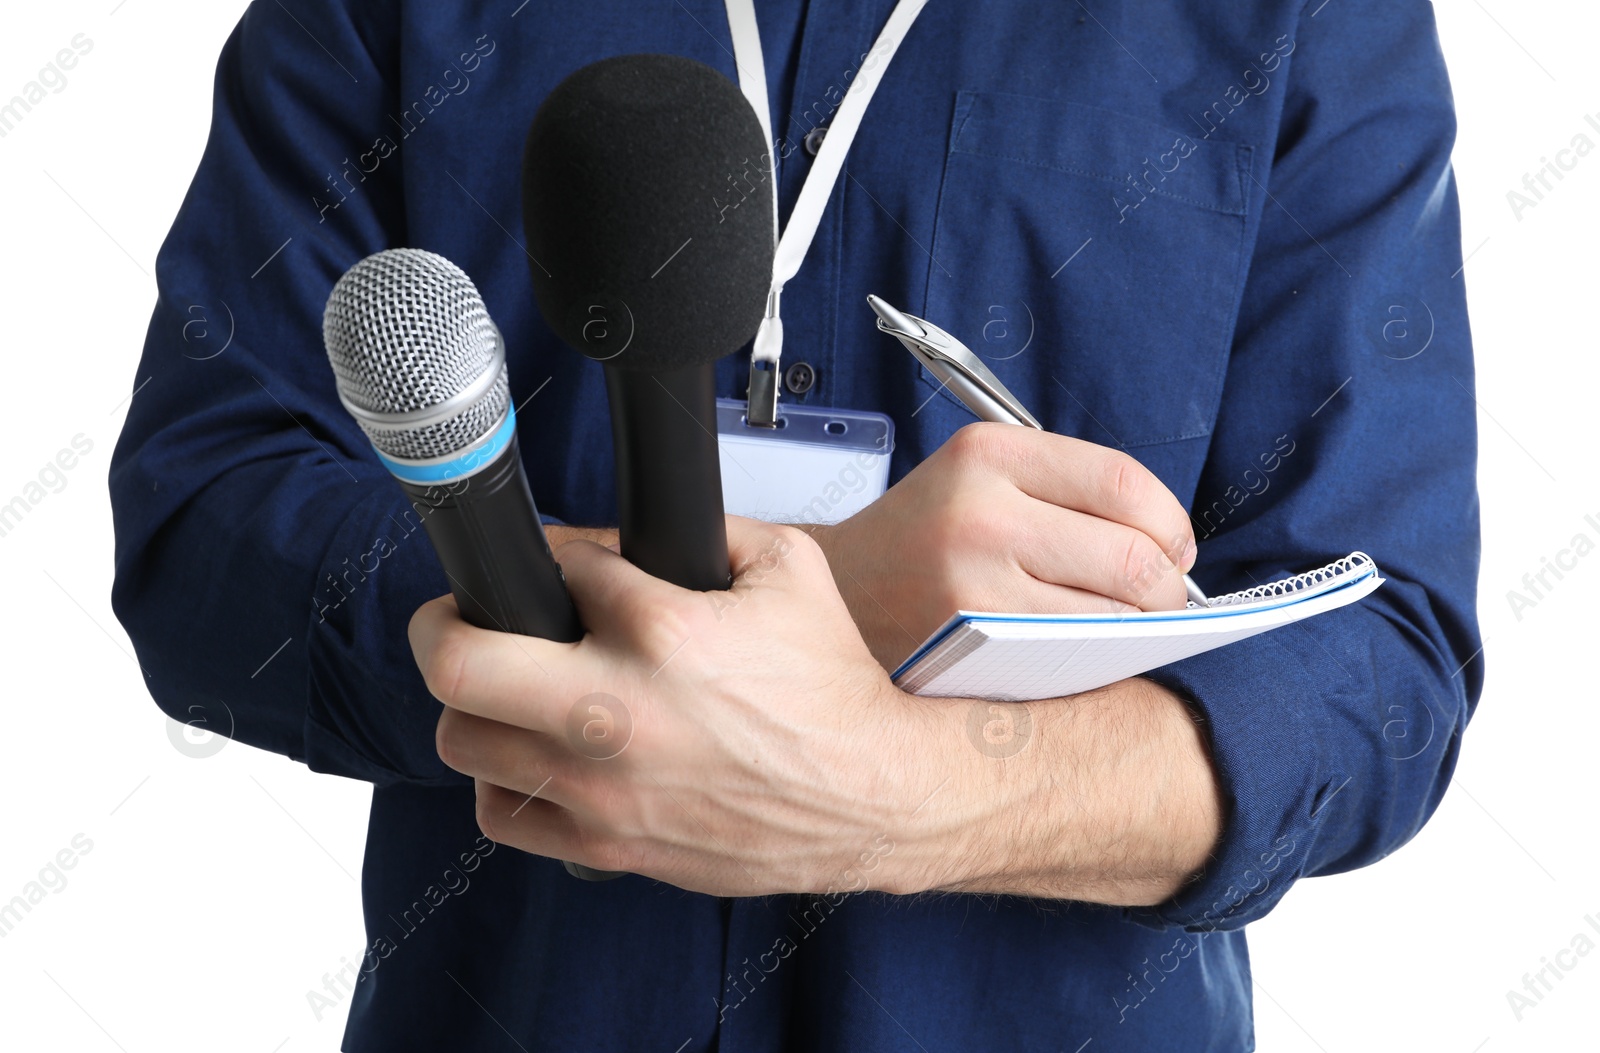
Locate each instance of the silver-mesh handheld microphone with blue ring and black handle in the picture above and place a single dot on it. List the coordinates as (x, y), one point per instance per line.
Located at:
(422, 369)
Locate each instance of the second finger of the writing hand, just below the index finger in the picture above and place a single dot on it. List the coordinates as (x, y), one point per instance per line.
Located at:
(1098, 556)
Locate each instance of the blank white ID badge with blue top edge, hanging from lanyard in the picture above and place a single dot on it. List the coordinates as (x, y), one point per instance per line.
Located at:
(818, 466)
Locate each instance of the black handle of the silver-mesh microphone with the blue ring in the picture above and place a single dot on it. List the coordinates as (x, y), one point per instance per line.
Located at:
(492, 545)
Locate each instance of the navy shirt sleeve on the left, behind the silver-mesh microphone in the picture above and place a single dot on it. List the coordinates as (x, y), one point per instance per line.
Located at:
(266, 564)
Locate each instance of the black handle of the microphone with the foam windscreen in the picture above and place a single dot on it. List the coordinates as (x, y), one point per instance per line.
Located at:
(670, 476)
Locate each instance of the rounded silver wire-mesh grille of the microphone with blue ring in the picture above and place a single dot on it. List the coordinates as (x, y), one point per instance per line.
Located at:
(407, 330)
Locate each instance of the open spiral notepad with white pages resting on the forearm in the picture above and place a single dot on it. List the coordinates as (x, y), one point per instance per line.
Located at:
(1026, 657)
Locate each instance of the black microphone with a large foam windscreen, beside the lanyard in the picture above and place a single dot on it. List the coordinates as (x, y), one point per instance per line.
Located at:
(652, 262)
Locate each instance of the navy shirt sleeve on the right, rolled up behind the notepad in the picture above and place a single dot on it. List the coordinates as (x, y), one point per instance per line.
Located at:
(1348, 423)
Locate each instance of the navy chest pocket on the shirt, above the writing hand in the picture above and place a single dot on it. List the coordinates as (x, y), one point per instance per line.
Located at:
(1095, 262)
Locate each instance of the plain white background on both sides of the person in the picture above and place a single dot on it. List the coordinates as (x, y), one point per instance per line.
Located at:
(220, 891)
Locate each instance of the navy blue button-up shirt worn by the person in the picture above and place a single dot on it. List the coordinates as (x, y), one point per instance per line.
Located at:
(1222, 238)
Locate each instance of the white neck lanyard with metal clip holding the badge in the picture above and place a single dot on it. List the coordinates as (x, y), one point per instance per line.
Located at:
(801, 231)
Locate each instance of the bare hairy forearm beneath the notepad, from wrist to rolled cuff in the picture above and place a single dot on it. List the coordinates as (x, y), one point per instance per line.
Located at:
(1111, 799)
